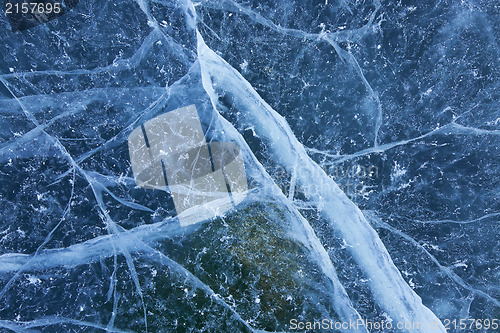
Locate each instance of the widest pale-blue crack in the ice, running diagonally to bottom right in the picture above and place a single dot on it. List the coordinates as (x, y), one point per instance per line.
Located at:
(390, 290)
